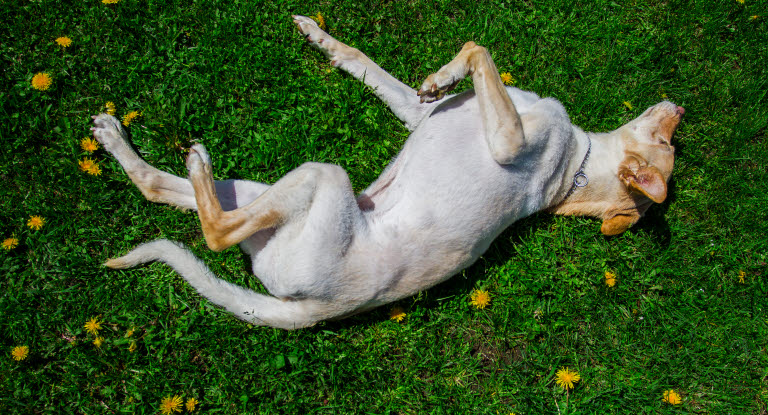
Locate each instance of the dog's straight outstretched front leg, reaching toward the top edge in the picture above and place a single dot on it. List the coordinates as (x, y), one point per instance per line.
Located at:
(400, 98)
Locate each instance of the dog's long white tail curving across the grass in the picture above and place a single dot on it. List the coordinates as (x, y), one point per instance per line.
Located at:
(246, 304)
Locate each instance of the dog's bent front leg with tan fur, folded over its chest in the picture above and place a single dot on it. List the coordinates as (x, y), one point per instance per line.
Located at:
(502, 124)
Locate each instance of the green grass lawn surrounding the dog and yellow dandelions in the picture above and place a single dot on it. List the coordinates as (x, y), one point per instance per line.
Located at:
(238, 77)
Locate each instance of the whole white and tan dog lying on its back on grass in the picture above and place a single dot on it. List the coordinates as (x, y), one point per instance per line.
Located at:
(474, 163)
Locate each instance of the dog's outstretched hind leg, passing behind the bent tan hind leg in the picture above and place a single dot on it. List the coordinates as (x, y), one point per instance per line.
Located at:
(162, 187)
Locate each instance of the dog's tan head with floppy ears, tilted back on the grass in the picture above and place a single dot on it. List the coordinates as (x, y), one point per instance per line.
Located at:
(631, 172)
